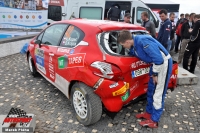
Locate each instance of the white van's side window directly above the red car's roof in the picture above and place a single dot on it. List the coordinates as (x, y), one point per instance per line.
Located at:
(91, 12)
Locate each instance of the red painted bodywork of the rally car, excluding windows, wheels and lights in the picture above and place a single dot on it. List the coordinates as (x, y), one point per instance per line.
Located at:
(78, 66)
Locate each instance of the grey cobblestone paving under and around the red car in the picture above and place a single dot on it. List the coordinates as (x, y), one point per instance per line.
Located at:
(54, 113)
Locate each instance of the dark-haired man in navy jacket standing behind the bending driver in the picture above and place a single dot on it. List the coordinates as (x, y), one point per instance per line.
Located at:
(165, 29)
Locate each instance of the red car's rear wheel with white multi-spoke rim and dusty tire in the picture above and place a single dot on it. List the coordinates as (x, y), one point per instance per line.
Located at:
(92, 110)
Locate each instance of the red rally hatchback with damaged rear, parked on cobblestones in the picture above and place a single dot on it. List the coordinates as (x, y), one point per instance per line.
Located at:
(83, 60)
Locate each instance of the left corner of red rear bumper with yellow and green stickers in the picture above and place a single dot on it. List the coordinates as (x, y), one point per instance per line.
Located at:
(113, 94)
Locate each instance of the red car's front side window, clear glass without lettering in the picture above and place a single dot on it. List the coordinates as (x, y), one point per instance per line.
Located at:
(53, 34)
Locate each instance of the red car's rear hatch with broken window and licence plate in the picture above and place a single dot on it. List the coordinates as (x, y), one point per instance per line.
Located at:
(133, 71)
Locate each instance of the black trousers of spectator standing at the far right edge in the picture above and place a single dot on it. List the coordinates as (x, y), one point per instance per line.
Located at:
(191, 49)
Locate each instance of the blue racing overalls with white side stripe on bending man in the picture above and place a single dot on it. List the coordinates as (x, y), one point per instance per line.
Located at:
(149, 50)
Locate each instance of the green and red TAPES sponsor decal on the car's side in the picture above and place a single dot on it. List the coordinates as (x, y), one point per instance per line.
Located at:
(70, 61)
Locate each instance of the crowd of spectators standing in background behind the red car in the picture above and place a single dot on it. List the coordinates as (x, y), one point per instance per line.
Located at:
(184, 33)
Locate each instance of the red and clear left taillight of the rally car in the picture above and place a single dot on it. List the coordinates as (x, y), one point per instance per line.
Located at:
(106, 70)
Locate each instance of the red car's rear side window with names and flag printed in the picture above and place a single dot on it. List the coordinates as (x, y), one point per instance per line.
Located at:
(72, 37)
